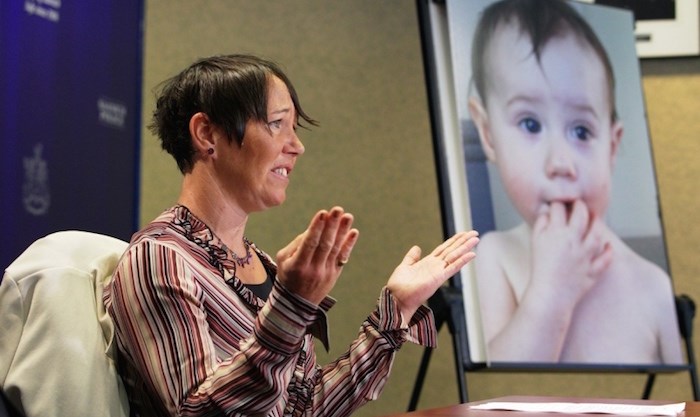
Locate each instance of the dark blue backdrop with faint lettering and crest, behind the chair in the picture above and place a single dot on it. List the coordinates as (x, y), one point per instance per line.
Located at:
(70, 93)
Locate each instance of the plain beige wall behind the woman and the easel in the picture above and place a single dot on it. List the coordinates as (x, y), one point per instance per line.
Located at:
(357, 66)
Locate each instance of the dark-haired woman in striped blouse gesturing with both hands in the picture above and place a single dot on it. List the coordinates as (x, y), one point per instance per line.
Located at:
(206, 322)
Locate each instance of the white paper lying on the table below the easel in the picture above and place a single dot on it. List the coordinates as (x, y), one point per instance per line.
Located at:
(586, 408)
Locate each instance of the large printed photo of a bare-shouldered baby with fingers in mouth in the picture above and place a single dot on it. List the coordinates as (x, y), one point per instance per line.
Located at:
(572, 265)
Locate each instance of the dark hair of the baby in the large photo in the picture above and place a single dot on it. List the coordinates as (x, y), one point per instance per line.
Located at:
(541, 20)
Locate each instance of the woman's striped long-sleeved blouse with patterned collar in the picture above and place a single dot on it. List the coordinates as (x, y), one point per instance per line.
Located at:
(194, 341)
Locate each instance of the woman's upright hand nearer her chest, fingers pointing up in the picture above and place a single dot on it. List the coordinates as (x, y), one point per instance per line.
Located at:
(310, 265)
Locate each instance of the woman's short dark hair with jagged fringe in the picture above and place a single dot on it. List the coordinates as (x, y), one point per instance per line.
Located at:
(230, 89)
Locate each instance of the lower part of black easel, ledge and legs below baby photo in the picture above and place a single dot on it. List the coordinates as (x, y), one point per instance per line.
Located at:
(448, 308)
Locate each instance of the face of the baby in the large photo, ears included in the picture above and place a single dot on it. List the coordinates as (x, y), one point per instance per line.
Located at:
(548, 124)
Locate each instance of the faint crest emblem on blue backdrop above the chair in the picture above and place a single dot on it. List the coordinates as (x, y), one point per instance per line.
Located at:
(35, 188)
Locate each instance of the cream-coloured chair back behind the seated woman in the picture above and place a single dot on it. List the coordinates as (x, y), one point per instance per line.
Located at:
(57, 350)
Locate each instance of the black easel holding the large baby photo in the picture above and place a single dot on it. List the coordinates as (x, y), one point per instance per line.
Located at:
(448, 303)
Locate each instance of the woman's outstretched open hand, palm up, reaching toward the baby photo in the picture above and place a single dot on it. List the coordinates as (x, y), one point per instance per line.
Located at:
(416, 279)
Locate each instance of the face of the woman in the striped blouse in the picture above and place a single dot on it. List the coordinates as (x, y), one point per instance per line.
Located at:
(256, 173)
